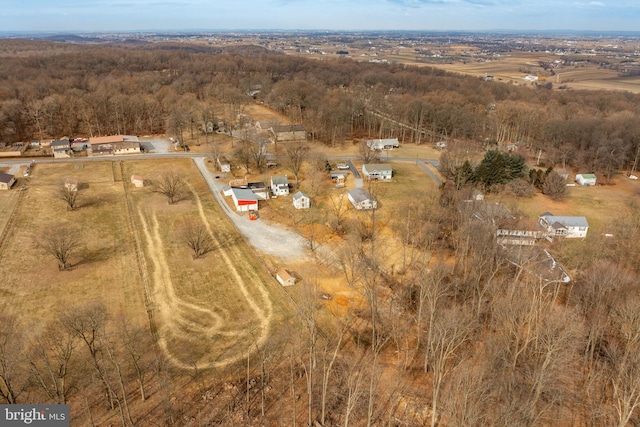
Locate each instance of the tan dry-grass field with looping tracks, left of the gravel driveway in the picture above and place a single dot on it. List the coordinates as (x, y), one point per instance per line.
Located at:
(207, 313)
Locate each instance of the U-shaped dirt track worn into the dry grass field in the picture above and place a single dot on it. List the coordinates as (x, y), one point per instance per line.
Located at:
(195, 323)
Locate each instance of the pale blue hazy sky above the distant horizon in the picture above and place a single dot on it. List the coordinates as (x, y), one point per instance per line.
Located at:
(127, 15)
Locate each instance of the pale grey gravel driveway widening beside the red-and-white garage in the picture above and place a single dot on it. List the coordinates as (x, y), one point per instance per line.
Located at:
(267, 238)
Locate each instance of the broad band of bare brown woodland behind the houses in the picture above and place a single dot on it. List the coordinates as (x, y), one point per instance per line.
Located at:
(163, 88)
